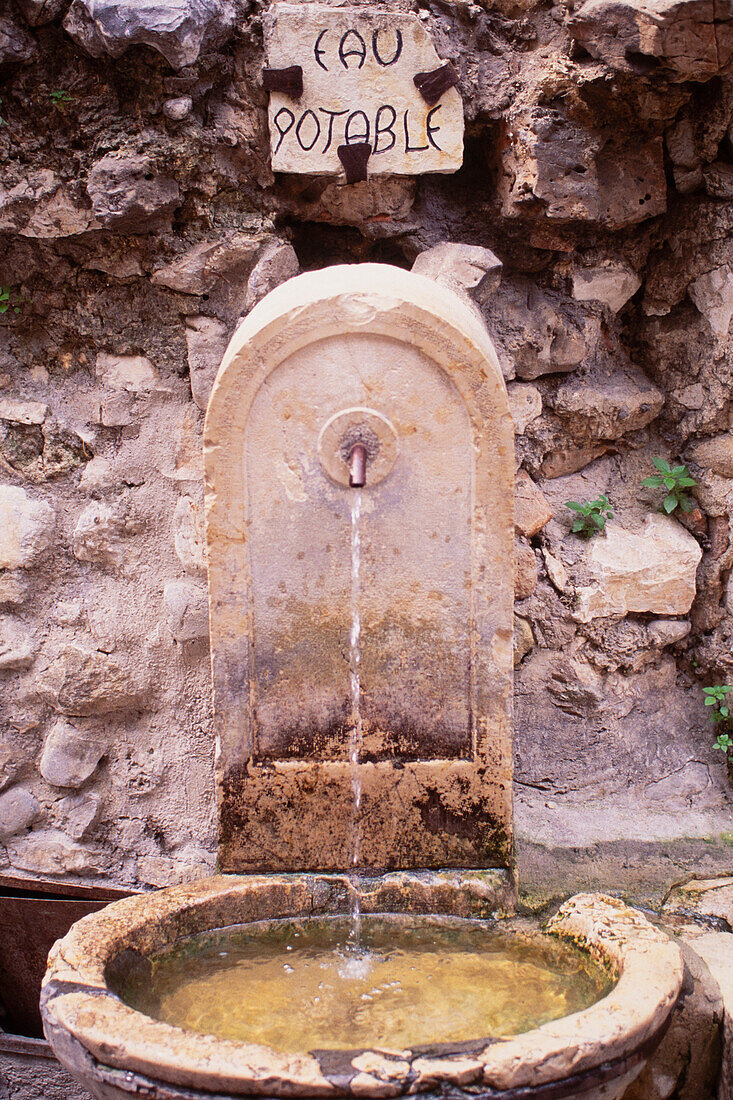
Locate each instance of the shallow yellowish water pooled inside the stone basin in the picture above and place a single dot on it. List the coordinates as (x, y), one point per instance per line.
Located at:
(411, 983)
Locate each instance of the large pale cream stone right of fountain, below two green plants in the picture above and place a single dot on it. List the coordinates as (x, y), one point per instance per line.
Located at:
(653, 570)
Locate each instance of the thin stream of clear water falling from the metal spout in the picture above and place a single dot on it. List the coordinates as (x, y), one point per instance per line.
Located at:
(356, 735)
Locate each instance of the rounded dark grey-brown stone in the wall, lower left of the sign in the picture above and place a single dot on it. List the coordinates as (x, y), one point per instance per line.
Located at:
(129, 195)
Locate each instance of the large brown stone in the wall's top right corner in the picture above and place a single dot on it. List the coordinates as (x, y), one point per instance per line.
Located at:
(690, 40)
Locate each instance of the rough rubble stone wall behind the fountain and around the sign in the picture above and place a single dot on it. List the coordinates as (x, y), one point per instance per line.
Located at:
(140, 221)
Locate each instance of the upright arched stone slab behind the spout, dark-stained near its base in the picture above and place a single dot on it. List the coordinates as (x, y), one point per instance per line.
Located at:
(436, 597)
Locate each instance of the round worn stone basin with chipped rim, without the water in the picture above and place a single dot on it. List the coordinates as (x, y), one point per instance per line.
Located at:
(117, 1052)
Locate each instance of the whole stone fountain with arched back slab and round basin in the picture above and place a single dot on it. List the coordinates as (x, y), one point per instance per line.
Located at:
(362, 652)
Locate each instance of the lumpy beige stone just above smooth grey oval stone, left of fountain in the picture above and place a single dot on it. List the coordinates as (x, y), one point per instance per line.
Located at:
(82, 683)
